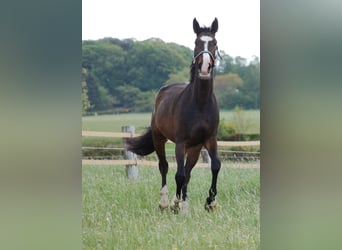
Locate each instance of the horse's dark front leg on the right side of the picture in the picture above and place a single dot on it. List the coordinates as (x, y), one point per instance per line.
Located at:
(211, 146)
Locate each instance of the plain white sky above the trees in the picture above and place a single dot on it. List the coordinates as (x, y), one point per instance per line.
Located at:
(171, 21)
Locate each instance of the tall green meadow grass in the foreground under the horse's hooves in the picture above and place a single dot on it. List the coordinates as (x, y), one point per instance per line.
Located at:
(123, 214)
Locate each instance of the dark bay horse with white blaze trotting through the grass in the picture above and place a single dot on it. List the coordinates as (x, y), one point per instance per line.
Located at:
(188, 115)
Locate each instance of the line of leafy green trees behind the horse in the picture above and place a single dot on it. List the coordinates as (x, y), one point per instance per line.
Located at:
(124, 75)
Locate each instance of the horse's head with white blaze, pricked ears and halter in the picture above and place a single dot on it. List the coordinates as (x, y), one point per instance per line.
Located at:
(205, 49)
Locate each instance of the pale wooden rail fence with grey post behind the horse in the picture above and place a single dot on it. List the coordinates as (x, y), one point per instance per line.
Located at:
(131, 161)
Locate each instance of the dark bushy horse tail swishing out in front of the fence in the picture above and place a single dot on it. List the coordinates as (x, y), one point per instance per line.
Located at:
(141, 145)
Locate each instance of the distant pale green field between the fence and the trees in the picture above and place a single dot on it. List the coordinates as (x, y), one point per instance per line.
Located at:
(113, 123)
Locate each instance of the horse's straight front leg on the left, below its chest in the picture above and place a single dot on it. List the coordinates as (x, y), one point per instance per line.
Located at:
(179, 177)
